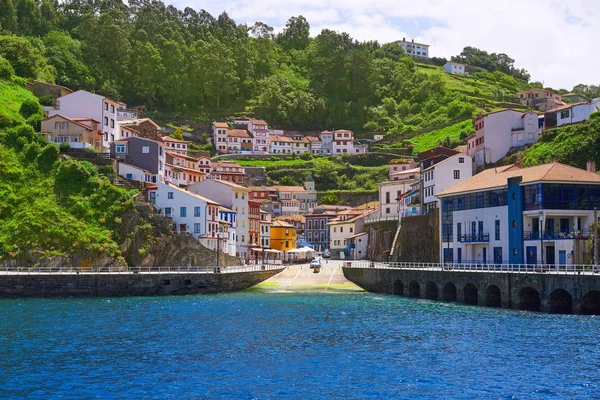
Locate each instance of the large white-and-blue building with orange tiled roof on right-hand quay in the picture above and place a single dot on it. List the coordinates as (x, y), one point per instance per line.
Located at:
(536, 215)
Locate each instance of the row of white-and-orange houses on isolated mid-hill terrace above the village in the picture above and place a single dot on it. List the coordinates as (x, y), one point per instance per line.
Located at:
(252, 136)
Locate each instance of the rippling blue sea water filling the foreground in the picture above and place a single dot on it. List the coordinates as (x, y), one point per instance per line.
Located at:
(291, 346)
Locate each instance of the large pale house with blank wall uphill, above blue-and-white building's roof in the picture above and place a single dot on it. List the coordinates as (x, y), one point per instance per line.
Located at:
(497, 132)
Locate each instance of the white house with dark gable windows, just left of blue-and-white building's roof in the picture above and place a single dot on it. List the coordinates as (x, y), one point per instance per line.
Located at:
(443, 175)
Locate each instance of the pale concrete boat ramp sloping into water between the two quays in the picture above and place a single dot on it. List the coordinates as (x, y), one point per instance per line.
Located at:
(303, 279)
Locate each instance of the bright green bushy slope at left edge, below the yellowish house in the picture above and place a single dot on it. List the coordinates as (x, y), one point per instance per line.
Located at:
(49, 204)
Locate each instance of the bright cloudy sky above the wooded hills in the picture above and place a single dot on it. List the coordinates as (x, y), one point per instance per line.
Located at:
(556, 41)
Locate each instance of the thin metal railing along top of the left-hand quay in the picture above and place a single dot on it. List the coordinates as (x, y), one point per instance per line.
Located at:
(136, 270)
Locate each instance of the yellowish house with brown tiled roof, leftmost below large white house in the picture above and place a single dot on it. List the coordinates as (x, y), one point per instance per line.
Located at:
(80, 133)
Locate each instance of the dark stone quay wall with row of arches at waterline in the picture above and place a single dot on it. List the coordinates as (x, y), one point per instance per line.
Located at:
(573, 293)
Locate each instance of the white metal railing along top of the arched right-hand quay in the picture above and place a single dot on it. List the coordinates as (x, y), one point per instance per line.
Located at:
(557, 269)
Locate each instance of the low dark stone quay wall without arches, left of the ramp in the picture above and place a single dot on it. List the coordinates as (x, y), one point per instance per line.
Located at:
(128, 283)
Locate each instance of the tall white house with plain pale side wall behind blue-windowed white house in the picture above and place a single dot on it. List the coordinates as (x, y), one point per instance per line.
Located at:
(234, 197)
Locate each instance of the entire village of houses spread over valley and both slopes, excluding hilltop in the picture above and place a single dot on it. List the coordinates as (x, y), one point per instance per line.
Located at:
(487, 214)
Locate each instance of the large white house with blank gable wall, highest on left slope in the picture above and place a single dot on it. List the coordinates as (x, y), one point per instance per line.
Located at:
(85, 104)
